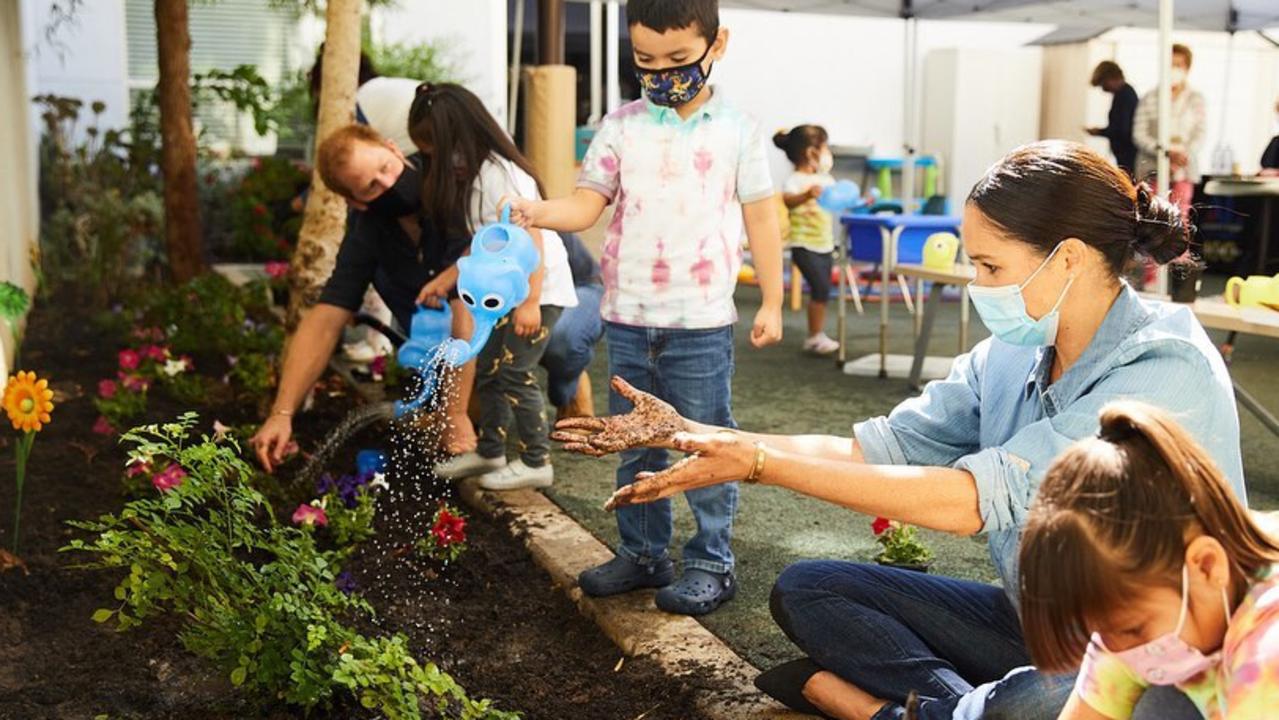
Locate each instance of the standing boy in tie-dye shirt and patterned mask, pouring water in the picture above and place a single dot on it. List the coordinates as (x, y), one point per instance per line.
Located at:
(686, 175)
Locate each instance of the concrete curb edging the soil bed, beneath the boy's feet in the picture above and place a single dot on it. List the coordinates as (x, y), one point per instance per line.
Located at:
(682, 646)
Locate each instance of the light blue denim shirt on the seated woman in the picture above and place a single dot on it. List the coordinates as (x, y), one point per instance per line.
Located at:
(1000, 416)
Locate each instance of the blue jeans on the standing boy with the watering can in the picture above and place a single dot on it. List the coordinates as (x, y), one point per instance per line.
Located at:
(693, 370)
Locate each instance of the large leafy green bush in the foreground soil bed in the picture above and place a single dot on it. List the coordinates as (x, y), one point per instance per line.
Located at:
(256, 598)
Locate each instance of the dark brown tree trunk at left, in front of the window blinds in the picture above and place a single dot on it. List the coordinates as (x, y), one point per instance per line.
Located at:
(178, 143)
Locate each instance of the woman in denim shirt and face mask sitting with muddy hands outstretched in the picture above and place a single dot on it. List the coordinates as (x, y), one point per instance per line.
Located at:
(1052, 231)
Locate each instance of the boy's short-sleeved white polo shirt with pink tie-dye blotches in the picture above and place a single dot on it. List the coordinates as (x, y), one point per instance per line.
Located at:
(675, 247)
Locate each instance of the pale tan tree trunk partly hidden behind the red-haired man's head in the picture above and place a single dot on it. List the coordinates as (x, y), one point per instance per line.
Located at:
(326, 219)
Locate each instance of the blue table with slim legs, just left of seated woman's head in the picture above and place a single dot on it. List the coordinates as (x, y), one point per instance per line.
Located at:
(886, 241)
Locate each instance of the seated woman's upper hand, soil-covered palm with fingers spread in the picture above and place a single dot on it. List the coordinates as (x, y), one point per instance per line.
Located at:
(652, 424)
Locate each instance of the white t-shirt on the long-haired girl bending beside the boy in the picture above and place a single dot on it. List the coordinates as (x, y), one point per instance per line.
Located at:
(501, 177)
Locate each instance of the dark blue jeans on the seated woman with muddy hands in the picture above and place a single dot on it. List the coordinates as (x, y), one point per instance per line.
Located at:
(957, 644)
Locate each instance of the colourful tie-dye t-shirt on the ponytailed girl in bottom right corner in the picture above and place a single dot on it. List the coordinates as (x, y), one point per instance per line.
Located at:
(1244, 687)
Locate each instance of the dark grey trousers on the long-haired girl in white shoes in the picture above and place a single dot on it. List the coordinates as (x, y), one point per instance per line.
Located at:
(508, 392)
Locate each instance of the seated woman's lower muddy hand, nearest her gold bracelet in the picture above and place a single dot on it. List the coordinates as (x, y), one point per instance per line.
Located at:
(714, 460)
